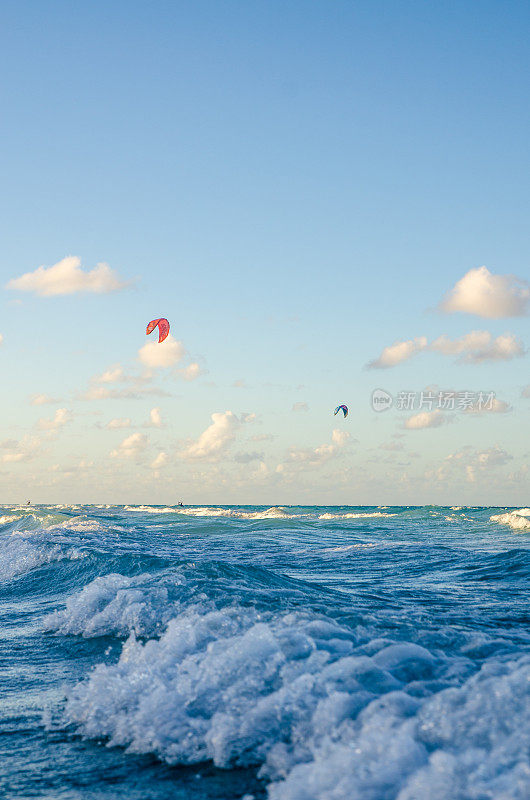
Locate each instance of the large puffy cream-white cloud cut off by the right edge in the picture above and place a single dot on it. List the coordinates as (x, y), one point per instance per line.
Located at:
(486, 295)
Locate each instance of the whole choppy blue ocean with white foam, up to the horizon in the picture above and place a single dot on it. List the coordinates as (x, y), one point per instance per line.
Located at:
(289, 653)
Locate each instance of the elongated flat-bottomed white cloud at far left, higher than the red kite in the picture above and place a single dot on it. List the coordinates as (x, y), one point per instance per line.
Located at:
(67, 277)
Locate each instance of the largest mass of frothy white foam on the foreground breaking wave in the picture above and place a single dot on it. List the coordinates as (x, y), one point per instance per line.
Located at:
(323, 712)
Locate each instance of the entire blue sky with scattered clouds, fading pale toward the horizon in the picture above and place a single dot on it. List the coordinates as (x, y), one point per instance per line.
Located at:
(324, 199)
